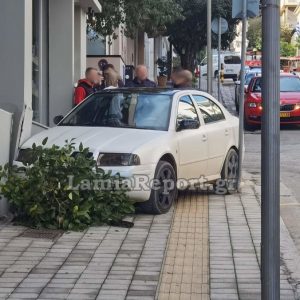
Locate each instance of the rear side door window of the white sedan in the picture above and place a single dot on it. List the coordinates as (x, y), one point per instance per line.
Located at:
(210, 110)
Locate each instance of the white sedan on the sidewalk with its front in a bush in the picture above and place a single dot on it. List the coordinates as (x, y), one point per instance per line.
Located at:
(160, 139)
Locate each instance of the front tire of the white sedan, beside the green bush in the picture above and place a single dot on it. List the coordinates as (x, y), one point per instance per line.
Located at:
(161, 201)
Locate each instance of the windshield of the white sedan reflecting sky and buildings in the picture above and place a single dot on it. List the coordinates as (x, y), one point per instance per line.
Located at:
(124, 110)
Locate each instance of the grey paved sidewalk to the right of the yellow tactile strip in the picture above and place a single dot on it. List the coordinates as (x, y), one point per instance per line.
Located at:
(234, 233)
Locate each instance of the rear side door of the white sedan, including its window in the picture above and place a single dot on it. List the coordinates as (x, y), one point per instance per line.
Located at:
(218, 132)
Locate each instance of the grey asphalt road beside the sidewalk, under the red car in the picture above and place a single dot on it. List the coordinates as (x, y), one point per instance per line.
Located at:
(289, 167)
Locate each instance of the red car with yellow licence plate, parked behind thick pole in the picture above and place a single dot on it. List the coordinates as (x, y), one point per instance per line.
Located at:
(289, 101)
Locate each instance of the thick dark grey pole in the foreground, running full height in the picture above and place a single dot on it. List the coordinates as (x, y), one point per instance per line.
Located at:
(270, 152)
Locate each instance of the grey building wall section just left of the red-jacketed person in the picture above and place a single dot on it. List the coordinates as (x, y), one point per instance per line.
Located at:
(61, 57)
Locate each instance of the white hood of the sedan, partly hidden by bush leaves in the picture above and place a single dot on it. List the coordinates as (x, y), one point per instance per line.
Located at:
(104, 139)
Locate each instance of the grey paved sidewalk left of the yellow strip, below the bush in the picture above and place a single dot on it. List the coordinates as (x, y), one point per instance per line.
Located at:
(100, 263)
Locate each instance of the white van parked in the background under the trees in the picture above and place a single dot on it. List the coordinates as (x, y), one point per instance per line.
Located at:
(231, 63)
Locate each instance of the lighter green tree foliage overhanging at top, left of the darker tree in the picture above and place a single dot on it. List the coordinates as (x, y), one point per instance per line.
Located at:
(150, 16)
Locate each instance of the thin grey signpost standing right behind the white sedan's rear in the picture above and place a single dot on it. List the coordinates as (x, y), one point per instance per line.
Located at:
(242, 92)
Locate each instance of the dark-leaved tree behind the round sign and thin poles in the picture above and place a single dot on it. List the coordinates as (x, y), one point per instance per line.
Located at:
(188, 35)
